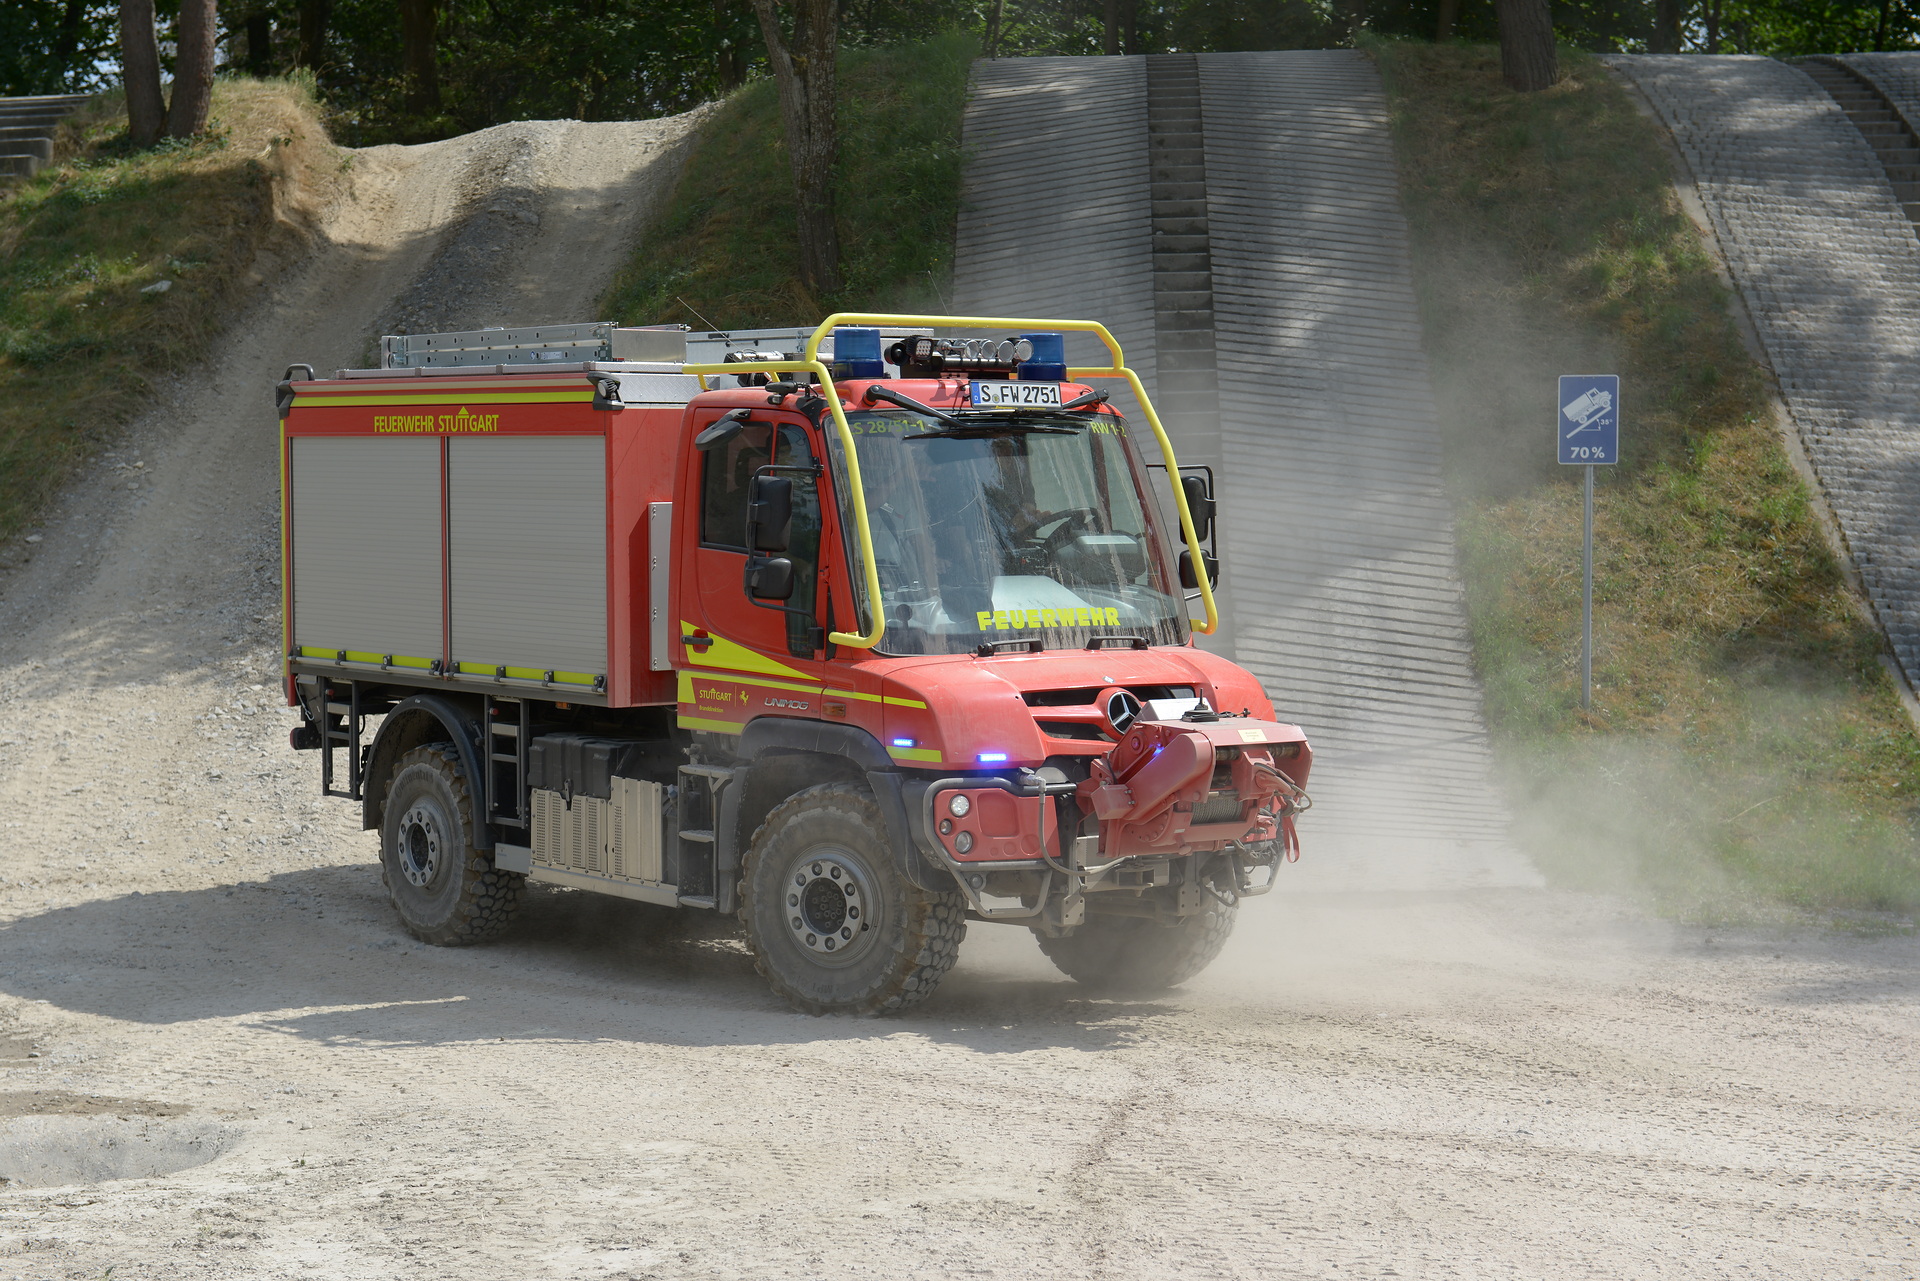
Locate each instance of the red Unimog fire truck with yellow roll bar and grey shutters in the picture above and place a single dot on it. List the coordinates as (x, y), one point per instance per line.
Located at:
(857, 633)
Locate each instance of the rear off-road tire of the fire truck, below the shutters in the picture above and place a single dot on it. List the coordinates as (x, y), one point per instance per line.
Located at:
(444, 890)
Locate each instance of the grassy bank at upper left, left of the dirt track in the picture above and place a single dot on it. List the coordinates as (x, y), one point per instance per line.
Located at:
(80, 245)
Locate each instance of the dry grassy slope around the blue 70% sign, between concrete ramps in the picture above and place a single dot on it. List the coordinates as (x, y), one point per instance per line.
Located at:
(1746, 750)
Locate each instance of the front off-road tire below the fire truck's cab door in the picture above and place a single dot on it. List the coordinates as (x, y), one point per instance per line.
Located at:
(892, 942)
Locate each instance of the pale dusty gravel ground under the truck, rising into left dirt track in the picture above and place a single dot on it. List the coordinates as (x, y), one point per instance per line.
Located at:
(203, 988)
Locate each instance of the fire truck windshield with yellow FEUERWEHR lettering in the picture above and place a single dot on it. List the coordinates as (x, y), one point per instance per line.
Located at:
(1011, 529)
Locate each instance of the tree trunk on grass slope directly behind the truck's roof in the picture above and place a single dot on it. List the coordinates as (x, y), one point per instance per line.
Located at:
(807, 101)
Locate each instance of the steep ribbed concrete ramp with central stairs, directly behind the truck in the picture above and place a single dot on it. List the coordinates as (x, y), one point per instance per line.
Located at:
(1337, 537)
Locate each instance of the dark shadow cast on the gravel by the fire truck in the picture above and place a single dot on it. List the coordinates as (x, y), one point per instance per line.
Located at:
(318, 955)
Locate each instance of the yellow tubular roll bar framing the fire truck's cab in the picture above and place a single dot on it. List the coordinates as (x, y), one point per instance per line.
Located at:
(1118, 370)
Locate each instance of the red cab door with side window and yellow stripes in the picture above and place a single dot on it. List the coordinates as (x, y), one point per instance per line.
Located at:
(748, 658)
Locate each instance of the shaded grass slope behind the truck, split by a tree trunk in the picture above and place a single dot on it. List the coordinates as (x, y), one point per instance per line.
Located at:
(725, 251)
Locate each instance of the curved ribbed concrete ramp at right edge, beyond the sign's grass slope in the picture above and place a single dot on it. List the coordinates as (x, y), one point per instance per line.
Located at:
(1831, 272)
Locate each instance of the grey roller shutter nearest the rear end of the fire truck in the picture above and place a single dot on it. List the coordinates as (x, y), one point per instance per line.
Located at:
(368, 546)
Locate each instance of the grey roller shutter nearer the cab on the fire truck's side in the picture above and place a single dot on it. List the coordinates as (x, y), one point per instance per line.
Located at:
(529, 552)
